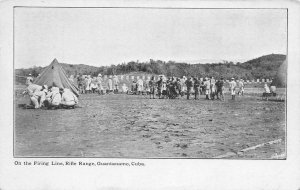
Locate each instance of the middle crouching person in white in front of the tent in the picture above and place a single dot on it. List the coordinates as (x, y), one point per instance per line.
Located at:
(53, 98)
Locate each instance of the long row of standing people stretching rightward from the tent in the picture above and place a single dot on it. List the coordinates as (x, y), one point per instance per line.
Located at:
(172, 87)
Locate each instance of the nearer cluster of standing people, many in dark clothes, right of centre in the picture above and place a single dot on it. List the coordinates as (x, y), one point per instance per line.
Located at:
(174, 87)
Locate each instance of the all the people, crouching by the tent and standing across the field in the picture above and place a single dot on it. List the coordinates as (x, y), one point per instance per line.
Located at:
(162, 88)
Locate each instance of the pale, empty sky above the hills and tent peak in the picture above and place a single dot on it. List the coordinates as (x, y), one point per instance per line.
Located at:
(105, 36)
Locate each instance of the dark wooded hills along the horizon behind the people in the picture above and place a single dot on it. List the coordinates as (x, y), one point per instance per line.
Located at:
(262, 67)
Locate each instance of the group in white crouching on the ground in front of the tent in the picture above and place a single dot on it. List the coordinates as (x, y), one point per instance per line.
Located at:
(49, 97)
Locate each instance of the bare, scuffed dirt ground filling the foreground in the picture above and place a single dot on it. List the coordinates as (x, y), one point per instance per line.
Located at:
(134, 126)
